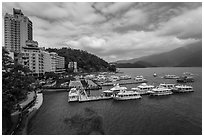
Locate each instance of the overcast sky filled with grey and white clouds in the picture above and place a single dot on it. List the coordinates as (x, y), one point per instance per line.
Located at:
(114, 31)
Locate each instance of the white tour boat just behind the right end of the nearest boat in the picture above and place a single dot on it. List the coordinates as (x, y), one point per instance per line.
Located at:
(143, 88)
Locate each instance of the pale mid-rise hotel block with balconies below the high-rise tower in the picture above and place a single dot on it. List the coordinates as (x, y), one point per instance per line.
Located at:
(40, 61)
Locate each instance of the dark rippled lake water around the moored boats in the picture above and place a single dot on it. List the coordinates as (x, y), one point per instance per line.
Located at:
(167, 115)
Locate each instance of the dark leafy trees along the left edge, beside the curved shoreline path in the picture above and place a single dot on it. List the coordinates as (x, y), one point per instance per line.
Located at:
(15, 85)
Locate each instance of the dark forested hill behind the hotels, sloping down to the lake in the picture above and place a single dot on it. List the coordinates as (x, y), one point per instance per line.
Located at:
(85, 61)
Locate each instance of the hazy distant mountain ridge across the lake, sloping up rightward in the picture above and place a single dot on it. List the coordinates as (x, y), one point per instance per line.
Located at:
(188, 56)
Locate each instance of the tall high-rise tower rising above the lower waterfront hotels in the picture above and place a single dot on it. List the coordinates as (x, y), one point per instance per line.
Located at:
(17, 30)
